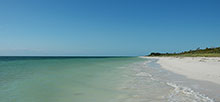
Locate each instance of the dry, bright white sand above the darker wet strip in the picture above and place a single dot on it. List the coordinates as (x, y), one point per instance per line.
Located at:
(199, 68)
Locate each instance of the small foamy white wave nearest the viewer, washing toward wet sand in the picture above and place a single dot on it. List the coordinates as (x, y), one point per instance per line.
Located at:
(186, 94)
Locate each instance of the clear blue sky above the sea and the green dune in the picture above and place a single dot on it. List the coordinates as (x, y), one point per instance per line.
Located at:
(106, 27)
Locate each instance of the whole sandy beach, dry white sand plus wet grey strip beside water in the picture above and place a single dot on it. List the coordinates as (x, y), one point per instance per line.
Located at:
(200, 71)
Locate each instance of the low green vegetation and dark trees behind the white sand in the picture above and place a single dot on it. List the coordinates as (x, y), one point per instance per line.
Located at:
(208, 52)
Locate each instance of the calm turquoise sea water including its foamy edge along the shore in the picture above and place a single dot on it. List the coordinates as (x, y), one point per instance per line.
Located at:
(104, 79)
